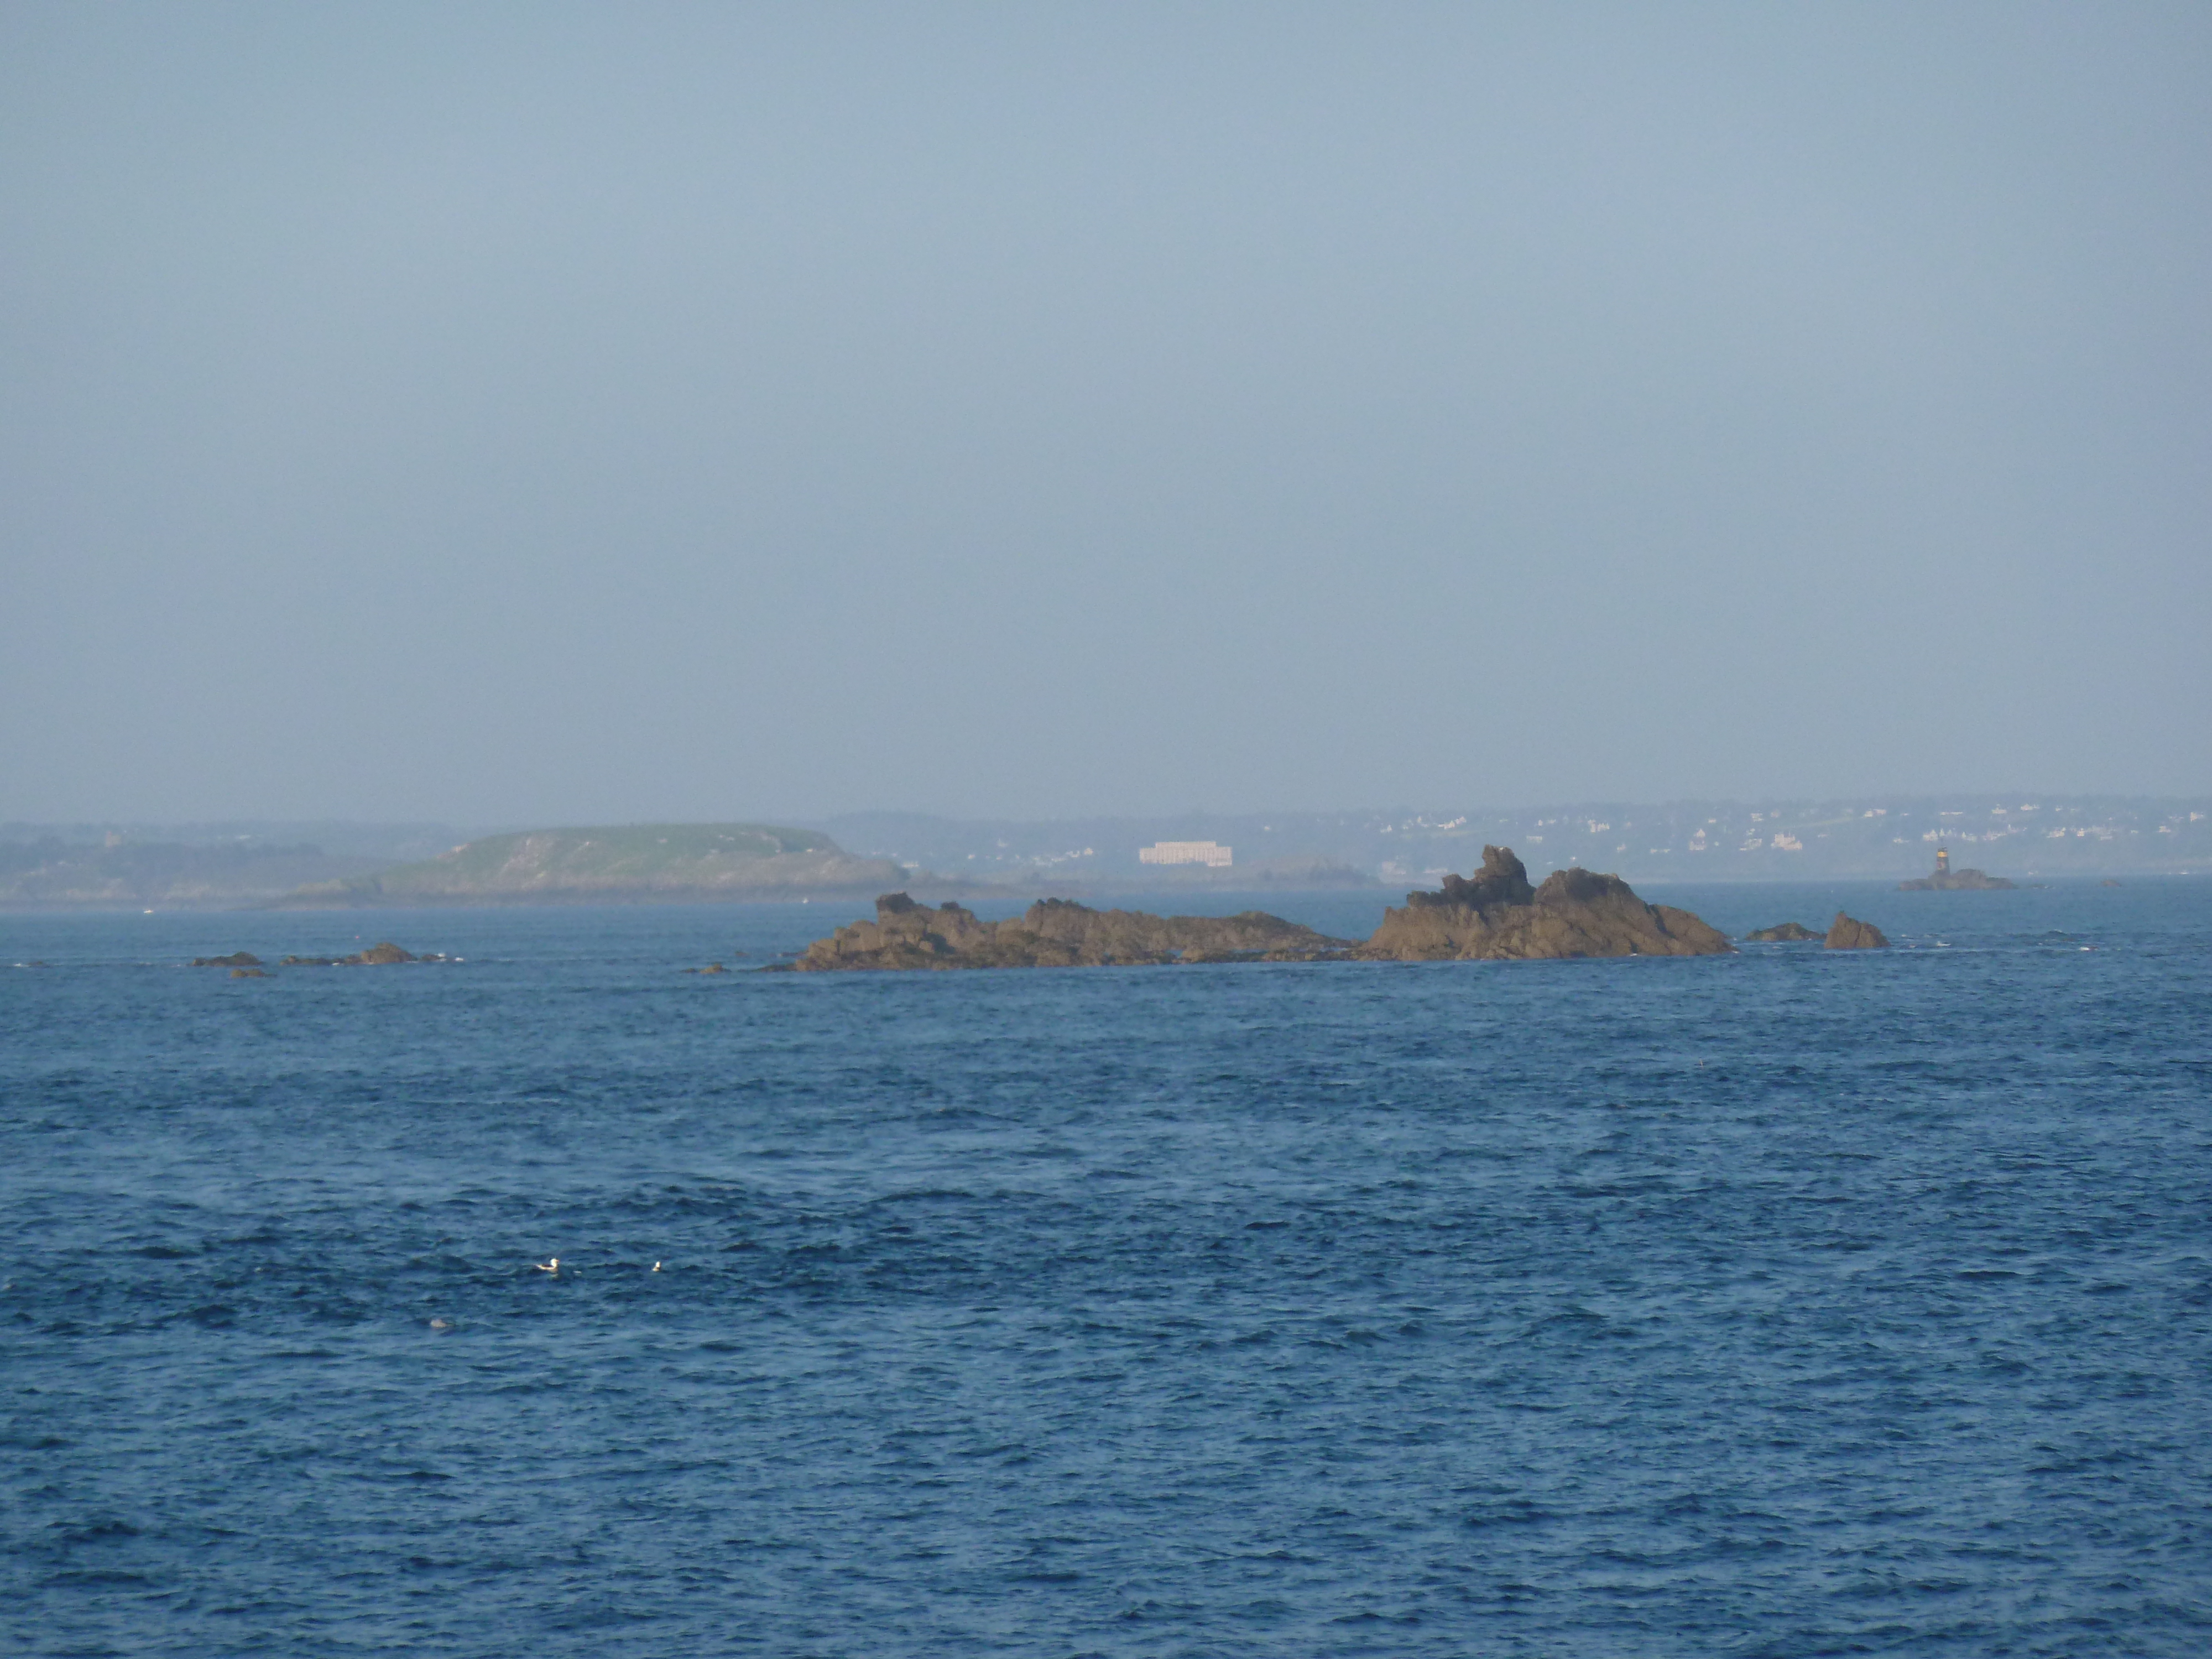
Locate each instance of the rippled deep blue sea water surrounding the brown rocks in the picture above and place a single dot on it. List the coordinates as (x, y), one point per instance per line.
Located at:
(1786, 1304)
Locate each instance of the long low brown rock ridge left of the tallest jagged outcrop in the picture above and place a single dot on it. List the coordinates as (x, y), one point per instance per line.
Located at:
(1058, 932)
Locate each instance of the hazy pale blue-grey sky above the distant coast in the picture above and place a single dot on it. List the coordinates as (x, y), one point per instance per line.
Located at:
(625, 413)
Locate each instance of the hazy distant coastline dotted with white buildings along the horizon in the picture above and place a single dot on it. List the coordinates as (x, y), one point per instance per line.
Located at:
(353, 866)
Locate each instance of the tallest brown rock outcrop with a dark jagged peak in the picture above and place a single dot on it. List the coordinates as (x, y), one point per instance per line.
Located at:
(1499, 917)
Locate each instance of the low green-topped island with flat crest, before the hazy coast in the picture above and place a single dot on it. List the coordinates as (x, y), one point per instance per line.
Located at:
(618, 866)
